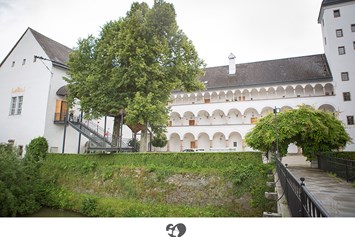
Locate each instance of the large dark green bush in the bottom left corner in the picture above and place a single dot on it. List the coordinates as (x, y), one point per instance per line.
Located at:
(20, 188)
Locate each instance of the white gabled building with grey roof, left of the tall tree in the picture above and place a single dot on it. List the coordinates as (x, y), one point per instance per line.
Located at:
(28, 92)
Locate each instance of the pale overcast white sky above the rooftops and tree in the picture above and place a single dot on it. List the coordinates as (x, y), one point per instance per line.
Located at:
(253, 30)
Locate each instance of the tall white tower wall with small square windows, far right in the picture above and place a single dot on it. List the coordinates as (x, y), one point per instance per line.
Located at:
(341, 63)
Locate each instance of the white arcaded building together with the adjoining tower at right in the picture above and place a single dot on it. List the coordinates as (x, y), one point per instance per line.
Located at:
(236, 95)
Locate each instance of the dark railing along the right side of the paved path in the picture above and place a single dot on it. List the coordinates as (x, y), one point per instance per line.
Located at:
(341, 167)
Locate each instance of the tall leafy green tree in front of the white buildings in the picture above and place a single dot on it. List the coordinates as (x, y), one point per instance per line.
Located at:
(134, 65)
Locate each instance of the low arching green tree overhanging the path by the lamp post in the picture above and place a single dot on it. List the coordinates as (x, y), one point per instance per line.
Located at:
(312, 130)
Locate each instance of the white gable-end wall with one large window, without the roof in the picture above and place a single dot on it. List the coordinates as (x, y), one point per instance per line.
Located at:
(31, 81)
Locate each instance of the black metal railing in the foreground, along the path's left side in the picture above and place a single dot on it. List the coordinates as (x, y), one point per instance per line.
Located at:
(300, 201)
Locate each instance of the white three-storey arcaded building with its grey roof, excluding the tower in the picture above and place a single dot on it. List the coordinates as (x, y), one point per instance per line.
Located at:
(220, 117)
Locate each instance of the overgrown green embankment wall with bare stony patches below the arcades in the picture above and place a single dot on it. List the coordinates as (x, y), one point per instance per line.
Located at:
(158, 184)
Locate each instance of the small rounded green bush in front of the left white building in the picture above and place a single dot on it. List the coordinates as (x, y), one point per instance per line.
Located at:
(37, 149)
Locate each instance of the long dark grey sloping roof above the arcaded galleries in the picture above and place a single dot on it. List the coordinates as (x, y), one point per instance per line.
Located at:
(303, 69)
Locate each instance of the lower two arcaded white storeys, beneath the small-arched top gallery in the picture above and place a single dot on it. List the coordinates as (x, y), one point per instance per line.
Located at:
(225, 124)
